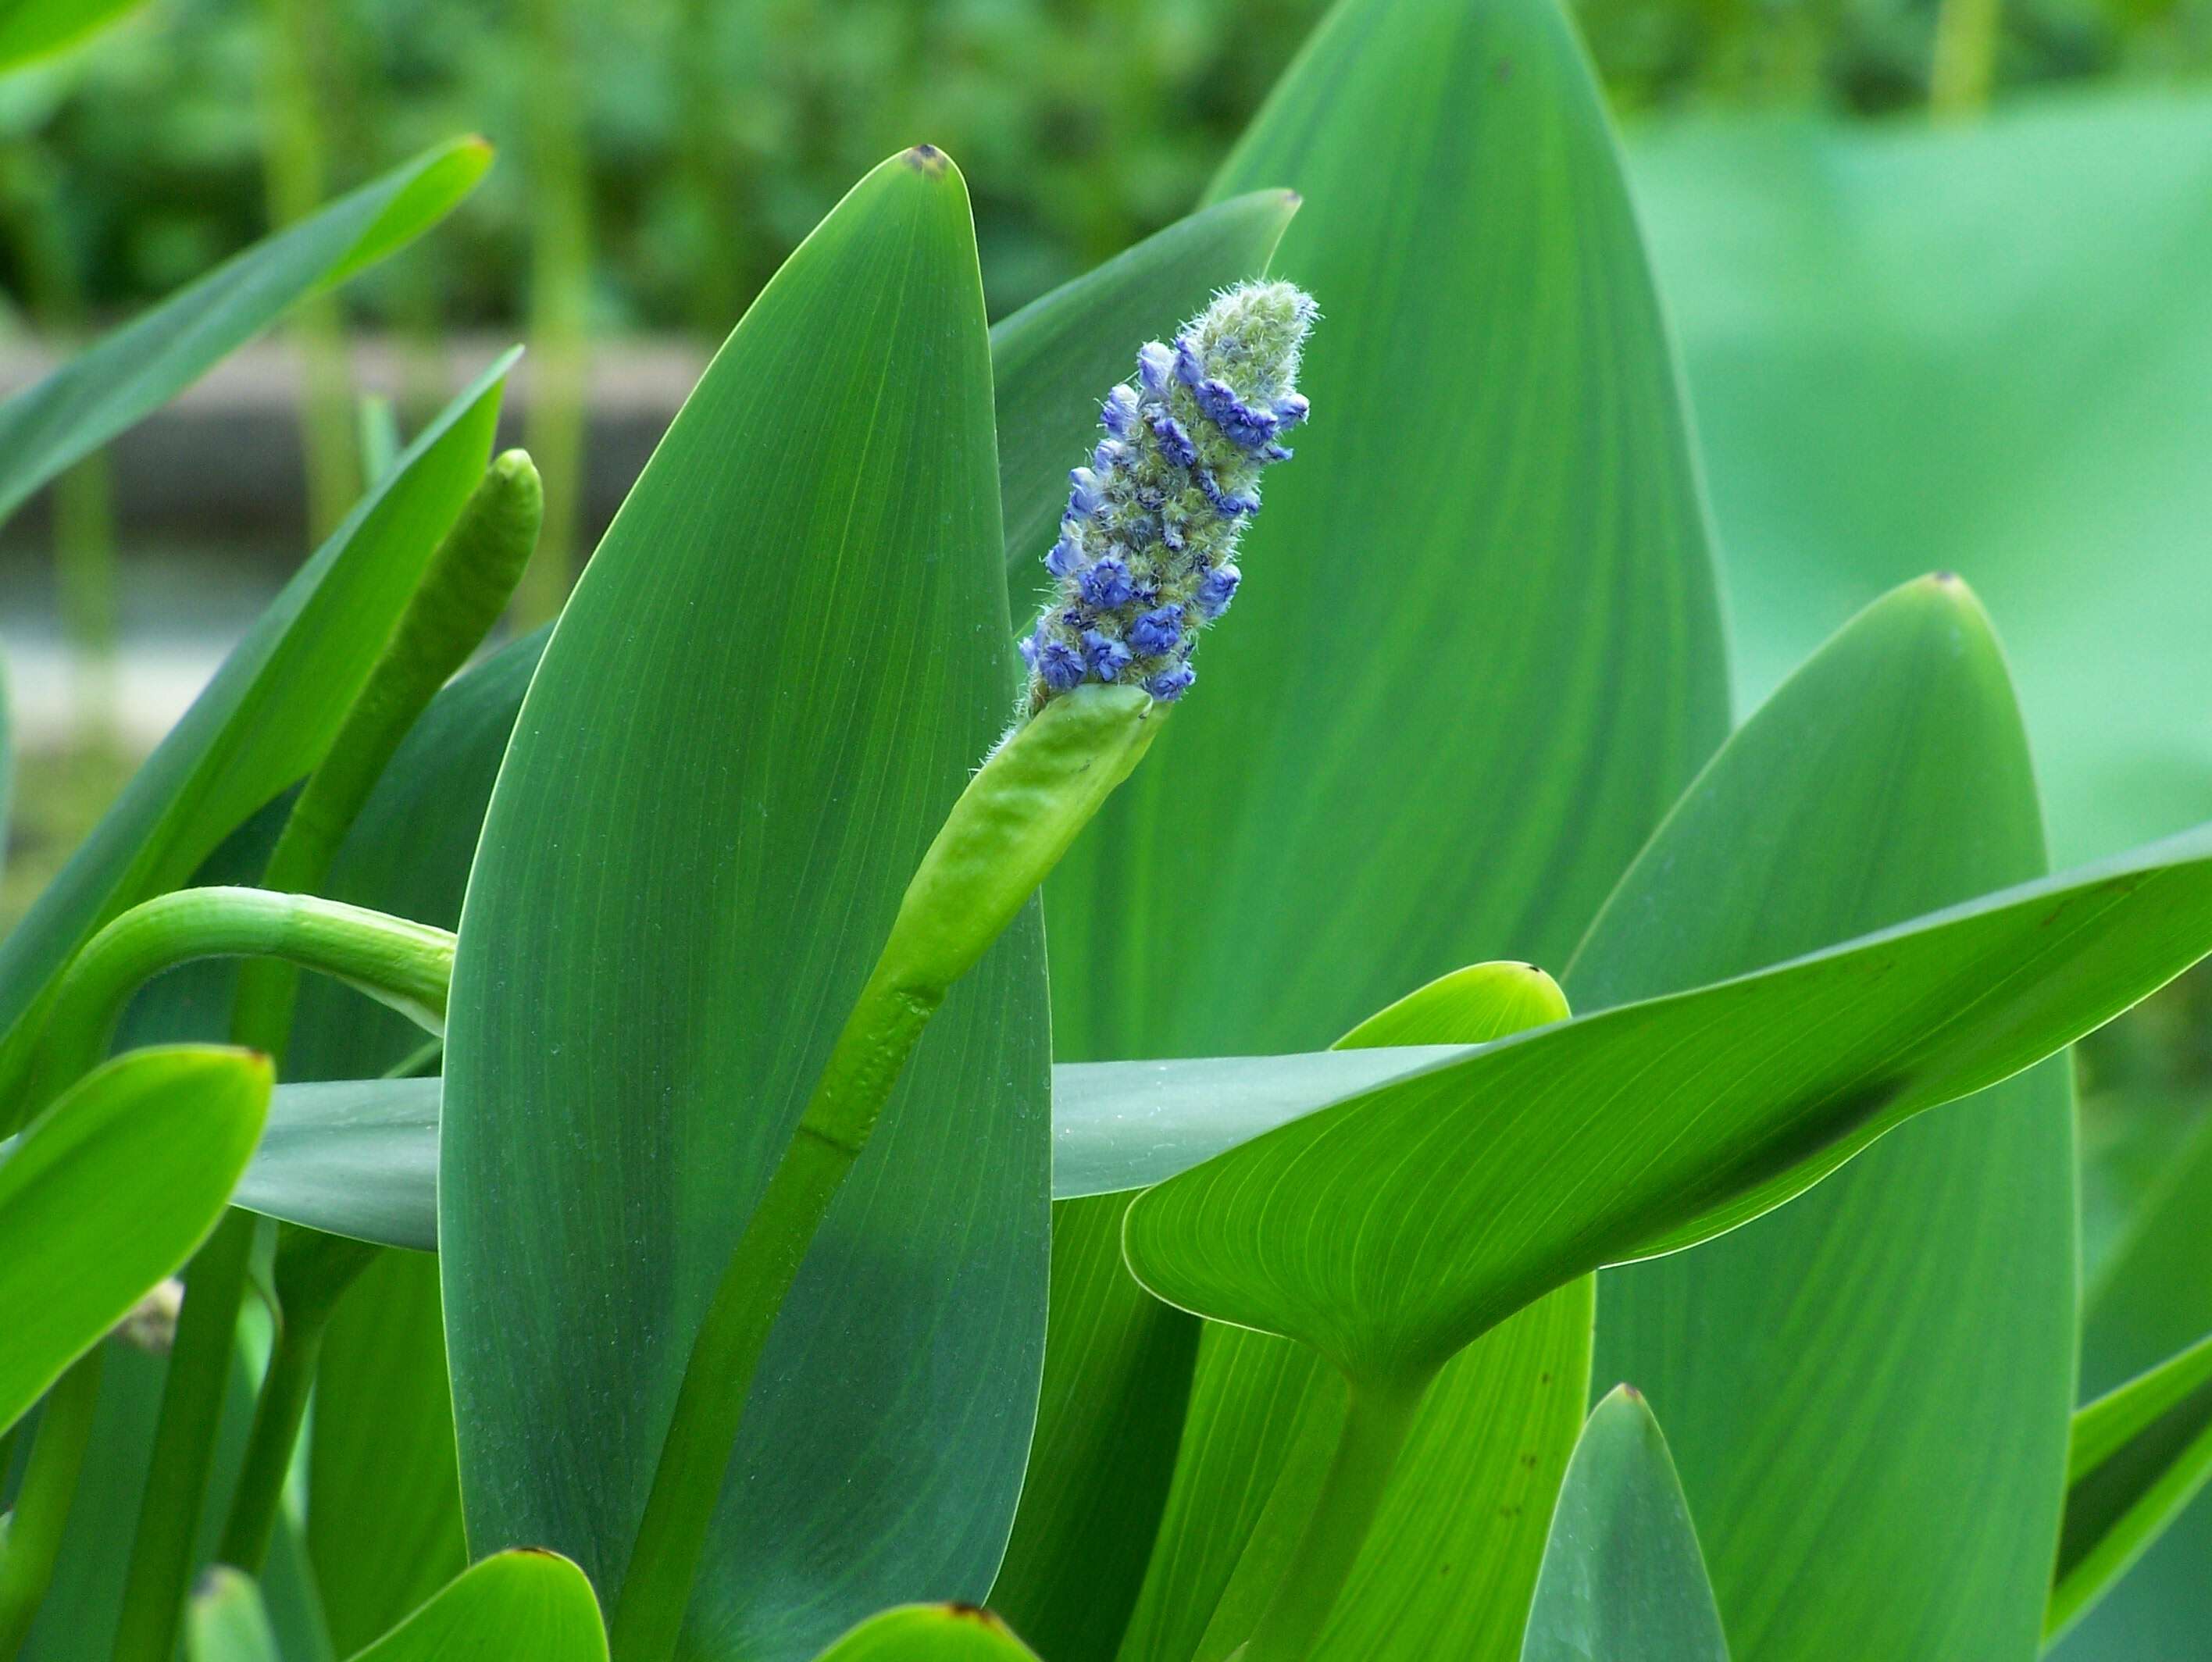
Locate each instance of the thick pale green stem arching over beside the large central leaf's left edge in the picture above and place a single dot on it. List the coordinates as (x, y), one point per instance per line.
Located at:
(399, 964)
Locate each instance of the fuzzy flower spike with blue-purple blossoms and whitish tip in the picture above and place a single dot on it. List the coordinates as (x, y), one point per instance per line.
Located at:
(1147, 552)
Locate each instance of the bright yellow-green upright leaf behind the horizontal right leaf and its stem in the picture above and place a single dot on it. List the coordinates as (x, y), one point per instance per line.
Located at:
(1441, 1575)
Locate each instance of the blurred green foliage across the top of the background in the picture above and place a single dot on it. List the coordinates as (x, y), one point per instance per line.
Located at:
(702, 141)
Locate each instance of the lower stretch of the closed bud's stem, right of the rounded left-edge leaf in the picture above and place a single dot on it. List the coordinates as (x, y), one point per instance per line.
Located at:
(178, 1475)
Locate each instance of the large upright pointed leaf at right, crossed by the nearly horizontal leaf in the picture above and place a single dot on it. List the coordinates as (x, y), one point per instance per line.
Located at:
(1919, 1309)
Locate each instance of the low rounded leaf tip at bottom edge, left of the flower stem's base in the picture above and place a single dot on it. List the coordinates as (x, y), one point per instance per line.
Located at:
(519, 1603)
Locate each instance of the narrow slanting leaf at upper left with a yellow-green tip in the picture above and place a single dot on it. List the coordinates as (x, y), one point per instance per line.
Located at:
(149, 362)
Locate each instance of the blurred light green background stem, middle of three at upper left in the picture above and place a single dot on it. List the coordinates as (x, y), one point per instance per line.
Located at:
(298, 45)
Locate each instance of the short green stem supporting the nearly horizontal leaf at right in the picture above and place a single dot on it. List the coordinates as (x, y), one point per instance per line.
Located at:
(1368, 1448)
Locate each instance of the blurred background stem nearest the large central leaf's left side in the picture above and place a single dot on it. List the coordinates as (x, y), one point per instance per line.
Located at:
(561, 298)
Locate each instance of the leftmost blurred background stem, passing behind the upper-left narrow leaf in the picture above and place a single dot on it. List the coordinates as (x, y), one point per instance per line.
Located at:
(83, 497)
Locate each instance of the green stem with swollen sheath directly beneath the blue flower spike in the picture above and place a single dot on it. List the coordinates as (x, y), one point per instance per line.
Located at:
(1010, 829)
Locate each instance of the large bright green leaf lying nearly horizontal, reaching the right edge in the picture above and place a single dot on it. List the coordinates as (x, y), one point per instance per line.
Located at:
(1656, 1125)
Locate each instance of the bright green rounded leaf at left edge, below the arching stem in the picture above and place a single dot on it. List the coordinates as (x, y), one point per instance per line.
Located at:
(107, 1194)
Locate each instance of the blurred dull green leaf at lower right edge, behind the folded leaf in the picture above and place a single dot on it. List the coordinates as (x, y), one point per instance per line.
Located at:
(2151, 1300)
